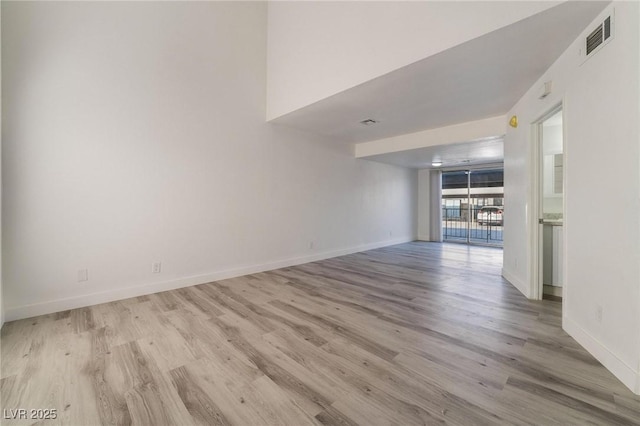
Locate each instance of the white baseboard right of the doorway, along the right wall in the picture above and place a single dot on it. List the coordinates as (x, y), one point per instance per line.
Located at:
(626, 374)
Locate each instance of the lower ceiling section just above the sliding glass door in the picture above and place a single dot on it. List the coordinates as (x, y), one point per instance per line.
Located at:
(466, 154)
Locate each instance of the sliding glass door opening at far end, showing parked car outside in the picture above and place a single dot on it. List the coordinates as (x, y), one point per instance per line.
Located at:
(473, 206)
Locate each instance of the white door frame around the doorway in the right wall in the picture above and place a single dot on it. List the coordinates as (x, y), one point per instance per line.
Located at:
(535, 200)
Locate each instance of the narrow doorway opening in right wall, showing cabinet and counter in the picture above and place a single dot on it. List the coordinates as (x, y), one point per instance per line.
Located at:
(549, 236)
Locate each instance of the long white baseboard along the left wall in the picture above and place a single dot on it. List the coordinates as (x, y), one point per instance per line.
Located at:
(13, 313)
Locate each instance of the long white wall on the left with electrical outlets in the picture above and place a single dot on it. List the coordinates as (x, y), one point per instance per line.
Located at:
(135, 132)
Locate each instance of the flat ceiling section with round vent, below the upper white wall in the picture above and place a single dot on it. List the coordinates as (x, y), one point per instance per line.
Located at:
(481, 78)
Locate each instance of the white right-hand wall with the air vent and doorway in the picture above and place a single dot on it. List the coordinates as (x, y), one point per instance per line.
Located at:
(602, 193)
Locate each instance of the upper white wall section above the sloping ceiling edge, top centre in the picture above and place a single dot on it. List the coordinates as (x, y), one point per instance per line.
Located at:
(310, 60)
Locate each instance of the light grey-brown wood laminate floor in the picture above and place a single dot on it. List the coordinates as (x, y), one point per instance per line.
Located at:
(417, 333)
